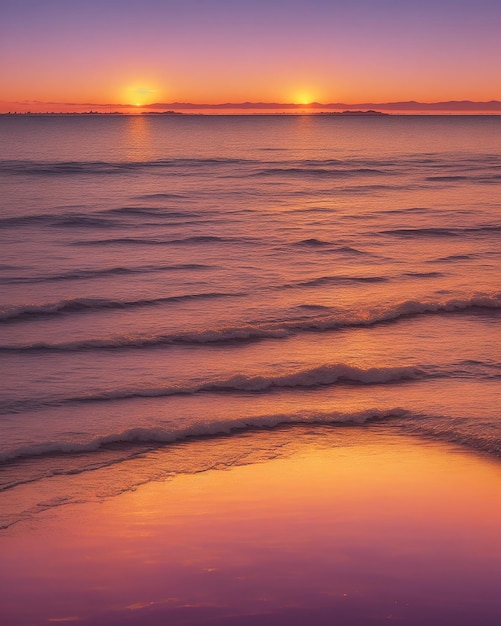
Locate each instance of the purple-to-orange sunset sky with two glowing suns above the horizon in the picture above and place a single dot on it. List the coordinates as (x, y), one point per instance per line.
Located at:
(76, 55)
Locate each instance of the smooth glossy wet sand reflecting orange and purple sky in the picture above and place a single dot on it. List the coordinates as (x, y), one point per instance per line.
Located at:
(347, 526)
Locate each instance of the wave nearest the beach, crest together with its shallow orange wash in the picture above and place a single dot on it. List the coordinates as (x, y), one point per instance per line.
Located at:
(229, 442)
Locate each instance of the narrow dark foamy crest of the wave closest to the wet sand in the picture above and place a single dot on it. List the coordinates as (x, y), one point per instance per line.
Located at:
(159, 435)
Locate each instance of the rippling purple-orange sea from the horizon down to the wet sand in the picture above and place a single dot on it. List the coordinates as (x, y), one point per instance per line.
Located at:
(177, 276)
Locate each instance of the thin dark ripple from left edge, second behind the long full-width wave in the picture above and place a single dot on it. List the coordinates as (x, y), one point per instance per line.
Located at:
(99, 273)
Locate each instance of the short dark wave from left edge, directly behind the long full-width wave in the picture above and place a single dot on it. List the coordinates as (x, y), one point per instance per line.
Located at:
(80, 305)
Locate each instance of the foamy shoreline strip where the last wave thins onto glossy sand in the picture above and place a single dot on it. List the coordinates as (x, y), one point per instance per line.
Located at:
(76, 472)
